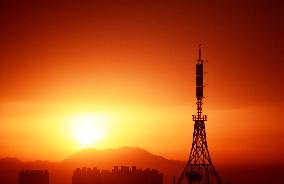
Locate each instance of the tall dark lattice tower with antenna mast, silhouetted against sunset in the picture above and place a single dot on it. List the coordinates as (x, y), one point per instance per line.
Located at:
(199, 168)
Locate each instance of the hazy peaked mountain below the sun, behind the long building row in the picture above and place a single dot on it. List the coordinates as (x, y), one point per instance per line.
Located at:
(129, 156)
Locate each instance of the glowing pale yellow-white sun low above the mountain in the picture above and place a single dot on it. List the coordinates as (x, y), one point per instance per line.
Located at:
(87, 129)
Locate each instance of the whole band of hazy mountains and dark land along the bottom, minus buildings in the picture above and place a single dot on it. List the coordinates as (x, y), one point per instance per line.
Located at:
(61, 172)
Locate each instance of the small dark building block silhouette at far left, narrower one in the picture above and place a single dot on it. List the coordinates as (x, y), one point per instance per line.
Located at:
(33, 177)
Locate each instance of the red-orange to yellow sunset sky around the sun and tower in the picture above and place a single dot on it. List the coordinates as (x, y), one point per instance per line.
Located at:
(133, 63)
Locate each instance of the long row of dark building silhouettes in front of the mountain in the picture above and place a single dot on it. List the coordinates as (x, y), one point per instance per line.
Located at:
(122, 175)
